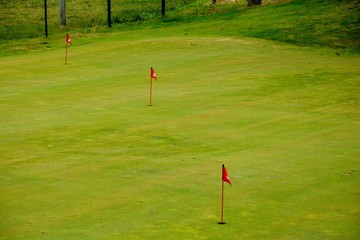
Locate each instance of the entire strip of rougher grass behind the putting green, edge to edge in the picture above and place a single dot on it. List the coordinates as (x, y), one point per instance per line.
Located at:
(330, 23)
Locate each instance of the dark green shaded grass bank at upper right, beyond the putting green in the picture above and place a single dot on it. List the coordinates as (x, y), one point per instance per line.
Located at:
(330, 23)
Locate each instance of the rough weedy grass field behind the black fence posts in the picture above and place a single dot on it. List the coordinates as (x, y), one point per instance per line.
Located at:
(25, 19)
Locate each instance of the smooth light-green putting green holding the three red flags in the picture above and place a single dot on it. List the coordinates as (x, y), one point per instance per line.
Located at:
(83, 156)
